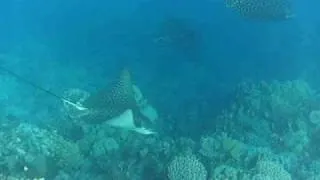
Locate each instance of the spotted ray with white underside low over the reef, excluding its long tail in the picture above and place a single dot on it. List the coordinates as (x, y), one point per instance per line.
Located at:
(116, 105)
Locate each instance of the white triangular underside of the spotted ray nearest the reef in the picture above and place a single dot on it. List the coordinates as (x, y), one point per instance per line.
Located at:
(126, 121)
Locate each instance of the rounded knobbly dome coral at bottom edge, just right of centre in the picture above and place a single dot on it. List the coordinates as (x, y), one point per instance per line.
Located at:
(186, 167)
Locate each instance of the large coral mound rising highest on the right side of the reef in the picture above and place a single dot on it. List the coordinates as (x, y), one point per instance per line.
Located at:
(284, 104)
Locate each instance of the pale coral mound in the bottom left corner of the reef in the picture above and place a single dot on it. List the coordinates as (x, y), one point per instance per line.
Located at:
(40, 151)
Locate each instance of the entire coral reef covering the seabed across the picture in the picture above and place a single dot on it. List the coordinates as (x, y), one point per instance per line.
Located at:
(269, 132)
